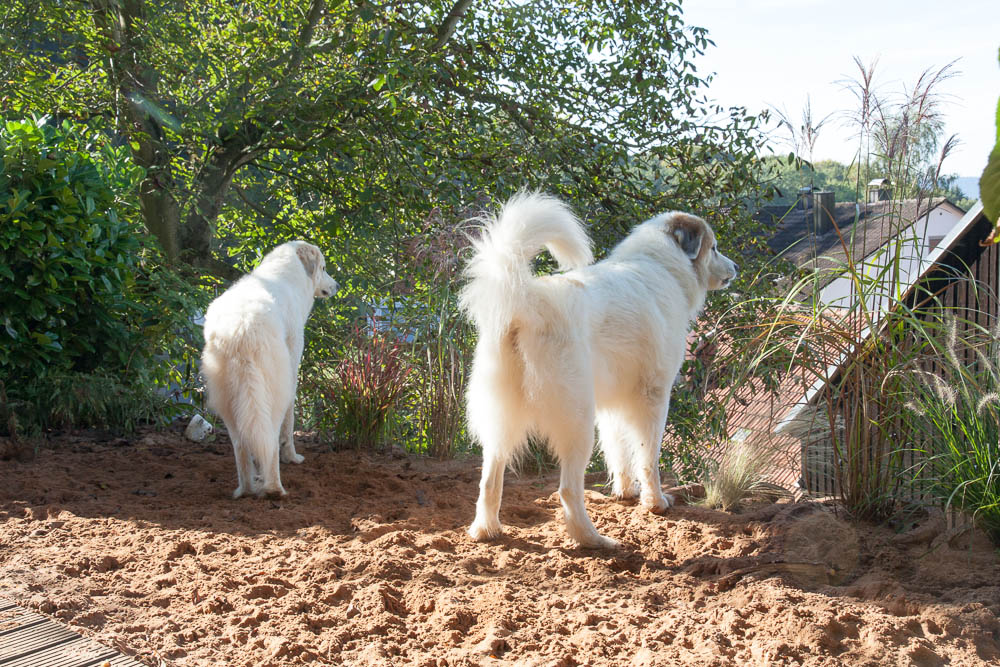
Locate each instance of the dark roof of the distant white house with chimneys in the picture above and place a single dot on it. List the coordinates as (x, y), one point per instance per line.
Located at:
(859, 229)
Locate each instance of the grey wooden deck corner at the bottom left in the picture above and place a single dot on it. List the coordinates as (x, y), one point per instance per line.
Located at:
(29, 639)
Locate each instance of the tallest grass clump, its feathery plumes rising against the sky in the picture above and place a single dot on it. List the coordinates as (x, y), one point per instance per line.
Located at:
(847, 349)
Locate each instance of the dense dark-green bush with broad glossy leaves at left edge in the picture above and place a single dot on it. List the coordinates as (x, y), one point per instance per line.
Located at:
(67, 259)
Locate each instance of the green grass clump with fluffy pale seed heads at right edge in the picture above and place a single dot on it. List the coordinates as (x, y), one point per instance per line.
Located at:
(954, 395)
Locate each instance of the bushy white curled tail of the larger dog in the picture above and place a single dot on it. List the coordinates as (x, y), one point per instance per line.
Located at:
(499, 273)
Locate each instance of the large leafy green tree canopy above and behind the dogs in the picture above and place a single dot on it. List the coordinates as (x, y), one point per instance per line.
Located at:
(359, 124)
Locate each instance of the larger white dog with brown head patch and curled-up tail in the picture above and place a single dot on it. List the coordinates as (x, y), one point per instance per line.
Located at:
(599, 342)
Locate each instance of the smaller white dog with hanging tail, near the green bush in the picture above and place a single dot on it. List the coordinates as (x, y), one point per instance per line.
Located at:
(253, 345)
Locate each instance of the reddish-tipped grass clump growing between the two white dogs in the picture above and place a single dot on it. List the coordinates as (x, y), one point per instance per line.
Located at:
(370, 382)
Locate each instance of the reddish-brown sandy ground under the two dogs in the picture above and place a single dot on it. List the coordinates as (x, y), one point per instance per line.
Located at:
(138, 544)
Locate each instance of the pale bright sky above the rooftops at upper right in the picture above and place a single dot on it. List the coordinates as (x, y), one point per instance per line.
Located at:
(778, 53)
